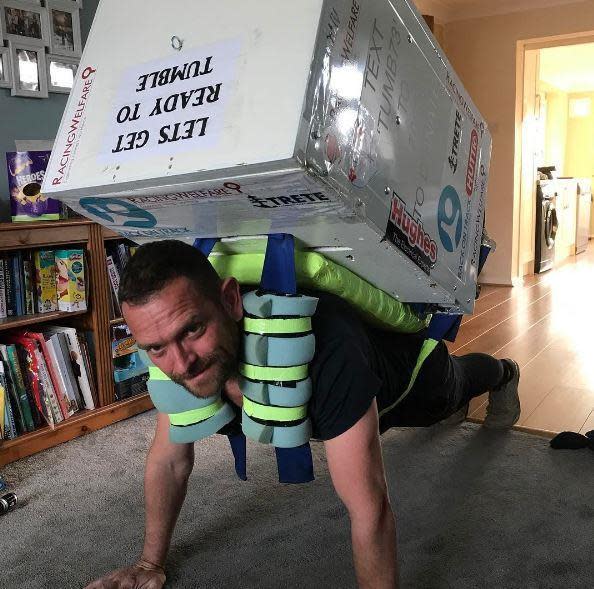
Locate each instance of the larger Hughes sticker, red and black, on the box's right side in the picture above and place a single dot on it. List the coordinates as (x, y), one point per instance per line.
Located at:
(408, 234)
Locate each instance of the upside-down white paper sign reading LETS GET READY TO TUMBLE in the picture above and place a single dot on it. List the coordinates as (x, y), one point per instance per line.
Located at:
(171, 105)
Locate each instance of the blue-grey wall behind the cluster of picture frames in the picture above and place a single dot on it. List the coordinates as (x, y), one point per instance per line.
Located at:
(32, 118)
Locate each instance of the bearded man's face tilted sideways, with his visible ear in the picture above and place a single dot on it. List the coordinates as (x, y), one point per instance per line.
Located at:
(191, 338)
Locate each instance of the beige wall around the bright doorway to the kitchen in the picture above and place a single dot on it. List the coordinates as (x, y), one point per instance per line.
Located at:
(483, 52)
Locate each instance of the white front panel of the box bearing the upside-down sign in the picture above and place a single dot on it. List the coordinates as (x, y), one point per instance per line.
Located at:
(261, 53)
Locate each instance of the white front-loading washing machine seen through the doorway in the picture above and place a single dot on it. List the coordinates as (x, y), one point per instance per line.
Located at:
(547, 224)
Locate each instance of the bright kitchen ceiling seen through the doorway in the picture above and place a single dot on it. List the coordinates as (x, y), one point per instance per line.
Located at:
(569, 68)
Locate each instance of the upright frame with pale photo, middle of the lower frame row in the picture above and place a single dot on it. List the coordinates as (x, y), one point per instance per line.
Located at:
(29, 70)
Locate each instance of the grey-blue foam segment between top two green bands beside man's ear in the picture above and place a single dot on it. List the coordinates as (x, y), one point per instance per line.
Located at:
(265, 350)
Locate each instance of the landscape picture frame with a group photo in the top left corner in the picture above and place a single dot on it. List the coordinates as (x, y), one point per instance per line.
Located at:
(24, 22)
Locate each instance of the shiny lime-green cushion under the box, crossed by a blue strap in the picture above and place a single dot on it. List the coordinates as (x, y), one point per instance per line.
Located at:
(317, 272)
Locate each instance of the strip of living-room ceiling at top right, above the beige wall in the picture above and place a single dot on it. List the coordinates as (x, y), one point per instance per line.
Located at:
(450, 10)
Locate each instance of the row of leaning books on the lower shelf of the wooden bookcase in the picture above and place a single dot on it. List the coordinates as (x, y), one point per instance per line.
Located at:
(46, 376)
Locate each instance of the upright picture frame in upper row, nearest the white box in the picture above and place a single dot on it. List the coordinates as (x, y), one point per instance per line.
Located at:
(64, 28)
